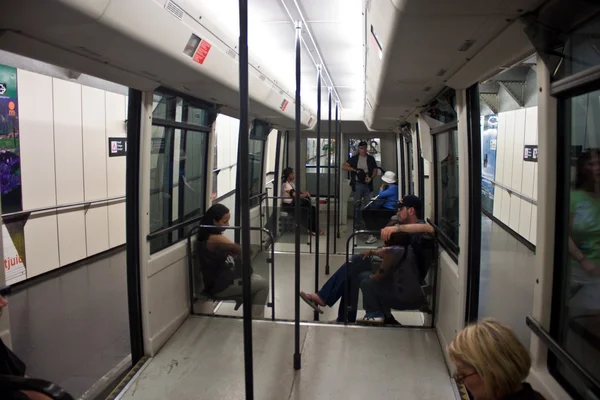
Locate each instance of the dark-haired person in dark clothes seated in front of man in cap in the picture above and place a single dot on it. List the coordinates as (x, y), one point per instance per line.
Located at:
(396, 285)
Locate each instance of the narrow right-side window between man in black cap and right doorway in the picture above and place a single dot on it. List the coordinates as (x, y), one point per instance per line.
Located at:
(446, 162)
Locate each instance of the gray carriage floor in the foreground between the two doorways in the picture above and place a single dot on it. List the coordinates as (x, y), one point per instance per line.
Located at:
(205, 360)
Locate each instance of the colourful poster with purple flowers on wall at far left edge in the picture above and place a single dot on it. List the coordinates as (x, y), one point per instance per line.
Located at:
(10, 177)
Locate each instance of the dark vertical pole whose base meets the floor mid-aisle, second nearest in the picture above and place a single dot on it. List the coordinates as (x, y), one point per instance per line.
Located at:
(297, 355)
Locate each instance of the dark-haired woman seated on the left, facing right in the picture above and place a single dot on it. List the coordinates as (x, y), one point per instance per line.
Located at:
(219, 260)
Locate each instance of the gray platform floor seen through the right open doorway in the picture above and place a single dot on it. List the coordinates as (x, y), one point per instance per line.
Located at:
(506, 280)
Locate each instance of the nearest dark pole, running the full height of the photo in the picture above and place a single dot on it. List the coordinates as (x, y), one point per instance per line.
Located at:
(244, 197)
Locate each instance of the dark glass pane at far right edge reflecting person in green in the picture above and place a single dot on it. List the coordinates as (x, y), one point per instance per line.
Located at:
(578, 289)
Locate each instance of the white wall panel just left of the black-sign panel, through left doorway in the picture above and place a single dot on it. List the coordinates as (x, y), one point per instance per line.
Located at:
(95, 148)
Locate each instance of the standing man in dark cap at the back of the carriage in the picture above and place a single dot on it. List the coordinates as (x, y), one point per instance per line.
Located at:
(363, 169)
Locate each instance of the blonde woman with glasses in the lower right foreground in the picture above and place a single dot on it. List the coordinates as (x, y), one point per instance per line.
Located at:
(491, 362)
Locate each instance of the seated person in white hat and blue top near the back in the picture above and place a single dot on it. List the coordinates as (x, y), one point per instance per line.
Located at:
(378, 212)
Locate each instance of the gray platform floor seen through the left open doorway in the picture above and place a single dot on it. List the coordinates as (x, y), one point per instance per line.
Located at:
(73, 329)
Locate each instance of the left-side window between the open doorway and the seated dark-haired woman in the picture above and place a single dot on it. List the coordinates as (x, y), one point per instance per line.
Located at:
(178, 165)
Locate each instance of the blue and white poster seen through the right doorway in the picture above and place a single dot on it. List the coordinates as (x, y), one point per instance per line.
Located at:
(489, 144)
